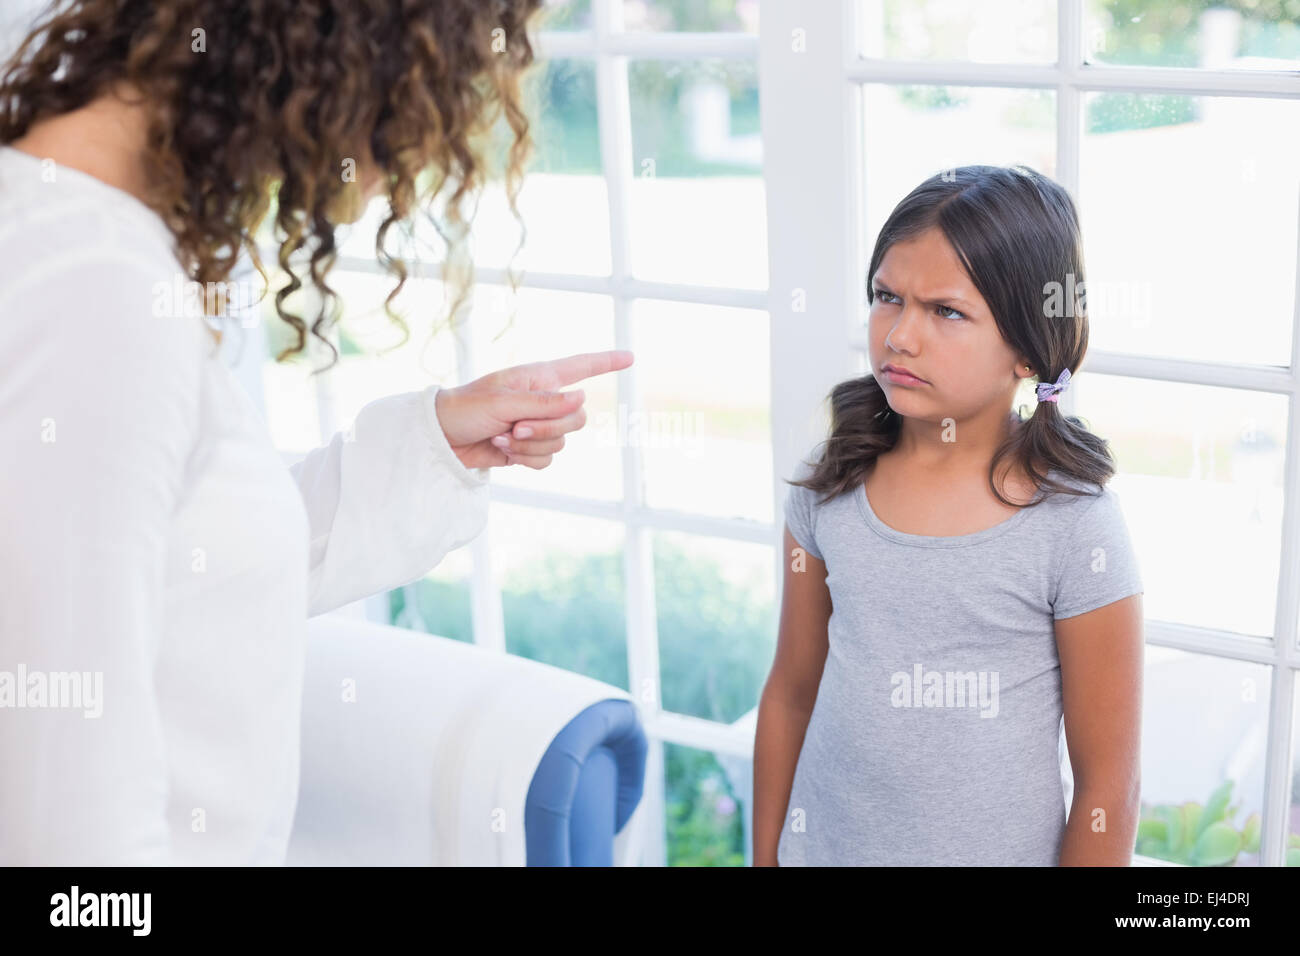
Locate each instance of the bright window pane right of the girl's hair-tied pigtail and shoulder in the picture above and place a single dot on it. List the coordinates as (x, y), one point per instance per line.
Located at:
(1202, 494)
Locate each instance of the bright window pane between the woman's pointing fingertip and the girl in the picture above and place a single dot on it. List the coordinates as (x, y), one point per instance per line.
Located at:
(705, 426)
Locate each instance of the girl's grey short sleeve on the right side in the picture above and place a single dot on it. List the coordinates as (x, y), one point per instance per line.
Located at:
(1098, 565)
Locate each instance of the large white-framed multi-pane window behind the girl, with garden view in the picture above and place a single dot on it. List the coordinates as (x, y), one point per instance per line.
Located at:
(708, 189)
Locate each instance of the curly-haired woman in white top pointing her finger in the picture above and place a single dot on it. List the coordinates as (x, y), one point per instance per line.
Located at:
(159, 561)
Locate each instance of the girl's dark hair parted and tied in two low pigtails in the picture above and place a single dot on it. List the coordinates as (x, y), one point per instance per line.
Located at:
(1017, 235)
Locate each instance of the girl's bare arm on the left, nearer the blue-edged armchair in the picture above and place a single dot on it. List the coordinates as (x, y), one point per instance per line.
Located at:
(790, 694)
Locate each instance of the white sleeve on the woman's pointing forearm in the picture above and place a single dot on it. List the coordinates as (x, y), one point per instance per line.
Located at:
(385, 501)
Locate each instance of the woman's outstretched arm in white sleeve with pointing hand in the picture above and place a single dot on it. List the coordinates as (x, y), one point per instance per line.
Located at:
(409, 482)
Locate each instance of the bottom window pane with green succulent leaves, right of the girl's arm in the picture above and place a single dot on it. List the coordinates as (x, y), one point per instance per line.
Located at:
(1206, 728)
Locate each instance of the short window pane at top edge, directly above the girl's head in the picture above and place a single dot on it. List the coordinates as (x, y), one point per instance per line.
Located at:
(989, 32)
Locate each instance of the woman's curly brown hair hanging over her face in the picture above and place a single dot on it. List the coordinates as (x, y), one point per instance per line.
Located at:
(253, 103)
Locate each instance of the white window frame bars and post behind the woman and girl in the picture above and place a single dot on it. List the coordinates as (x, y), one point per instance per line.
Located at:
(811, 111)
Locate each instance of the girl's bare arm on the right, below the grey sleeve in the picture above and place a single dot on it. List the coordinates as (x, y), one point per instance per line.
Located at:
(1102, 669)
